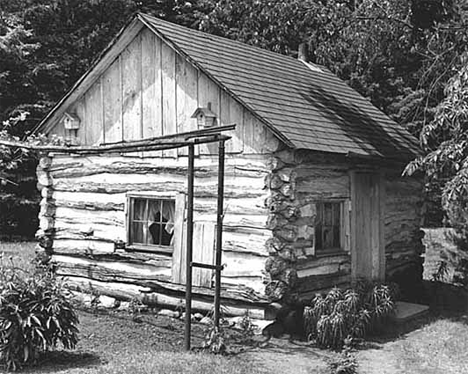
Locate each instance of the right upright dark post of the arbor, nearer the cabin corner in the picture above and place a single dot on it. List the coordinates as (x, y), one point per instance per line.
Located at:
(219, 233)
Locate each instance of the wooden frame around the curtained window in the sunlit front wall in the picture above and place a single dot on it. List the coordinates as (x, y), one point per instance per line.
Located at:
(138, 247)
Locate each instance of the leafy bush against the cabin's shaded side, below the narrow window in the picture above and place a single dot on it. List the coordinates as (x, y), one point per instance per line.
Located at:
(343, 316)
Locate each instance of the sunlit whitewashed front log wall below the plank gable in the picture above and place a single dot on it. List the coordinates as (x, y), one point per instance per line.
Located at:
(83, 221)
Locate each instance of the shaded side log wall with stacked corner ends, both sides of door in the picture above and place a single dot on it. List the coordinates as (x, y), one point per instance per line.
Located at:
(300, 179)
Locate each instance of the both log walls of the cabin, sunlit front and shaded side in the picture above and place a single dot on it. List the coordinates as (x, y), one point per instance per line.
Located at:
(269, 234)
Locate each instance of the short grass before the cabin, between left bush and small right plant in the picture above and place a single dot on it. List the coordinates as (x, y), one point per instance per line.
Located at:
(116, 343)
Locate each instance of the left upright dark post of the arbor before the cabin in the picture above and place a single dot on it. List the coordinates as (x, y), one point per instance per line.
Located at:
(188, 277)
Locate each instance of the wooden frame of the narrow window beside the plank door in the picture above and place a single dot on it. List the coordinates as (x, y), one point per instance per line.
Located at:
(344, 228)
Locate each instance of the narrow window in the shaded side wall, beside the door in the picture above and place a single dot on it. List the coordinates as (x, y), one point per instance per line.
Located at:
(331, 232)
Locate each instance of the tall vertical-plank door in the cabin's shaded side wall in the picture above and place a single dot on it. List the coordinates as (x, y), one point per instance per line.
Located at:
(367, 244)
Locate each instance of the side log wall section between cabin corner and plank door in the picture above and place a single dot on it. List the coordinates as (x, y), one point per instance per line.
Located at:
(298, 181)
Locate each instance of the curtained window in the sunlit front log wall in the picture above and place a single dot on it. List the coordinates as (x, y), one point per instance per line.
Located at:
(151, 223)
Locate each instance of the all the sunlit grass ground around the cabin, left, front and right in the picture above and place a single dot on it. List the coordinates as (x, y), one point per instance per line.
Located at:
(114, 343)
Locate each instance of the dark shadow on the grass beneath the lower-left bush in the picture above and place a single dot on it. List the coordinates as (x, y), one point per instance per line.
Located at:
(56, 361)
